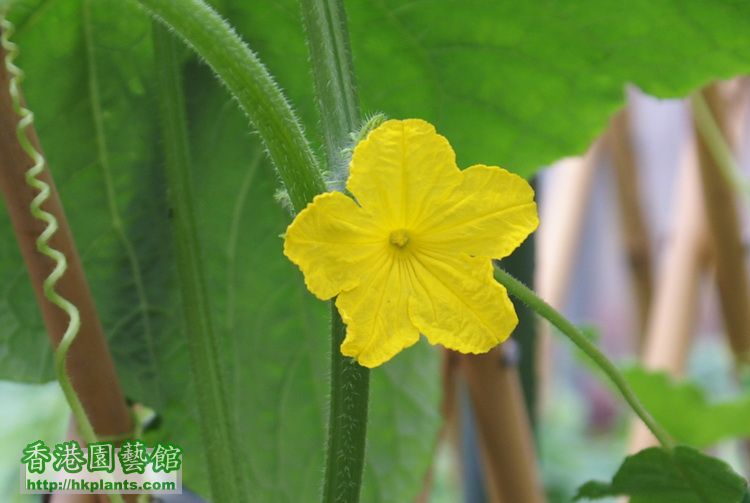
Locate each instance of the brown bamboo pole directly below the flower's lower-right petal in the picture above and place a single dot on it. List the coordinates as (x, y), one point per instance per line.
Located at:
(506, 442)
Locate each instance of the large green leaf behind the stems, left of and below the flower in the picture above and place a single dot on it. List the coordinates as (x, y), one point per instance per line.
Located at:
(97, 121)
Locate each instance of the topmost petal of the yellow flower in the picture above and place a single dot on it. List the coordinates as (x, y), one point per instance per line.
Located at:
(401, 170)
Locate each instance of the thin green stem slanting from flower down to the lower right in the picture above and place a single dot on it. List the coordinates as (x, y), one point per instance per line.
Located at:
(528, 297)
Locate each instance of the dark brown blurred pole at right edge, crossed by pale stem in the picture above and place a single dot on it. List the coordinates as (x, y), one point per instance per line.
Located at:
(726, 241)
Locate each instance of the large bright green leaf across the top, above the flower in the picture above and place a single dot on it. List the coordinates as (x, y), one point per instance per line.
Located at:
(518, 83)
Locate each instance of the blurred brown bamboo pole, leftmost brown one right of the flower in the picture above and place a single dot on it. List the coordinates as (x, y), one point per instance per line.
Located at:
(635, 231)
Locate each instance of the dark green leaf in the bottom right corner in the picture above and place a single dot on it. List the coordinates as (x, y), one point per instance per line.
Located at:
(682, 476)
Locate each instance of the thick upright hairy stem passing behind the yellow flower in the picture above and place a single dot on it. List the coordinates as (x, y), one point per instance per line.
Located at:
(330, 56)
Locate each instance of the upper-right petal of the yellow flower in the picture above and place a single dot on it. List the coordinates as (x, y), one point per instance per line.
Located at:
(488, 215)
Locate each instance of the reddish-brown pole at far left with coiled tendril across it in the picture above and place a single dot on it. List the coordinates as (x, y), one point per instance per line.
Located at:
(90, 364)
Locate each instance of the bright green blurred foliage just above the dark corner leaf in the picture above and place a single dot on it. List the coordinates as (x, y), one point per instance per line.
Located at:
(682, 408)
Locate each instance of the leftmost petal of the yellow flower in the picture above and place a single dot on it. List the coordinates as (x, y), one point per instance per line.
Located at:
(333, 241)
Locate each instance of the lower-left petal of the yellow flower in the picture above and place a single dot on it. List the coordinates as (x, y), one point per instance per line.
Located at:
(376, 313)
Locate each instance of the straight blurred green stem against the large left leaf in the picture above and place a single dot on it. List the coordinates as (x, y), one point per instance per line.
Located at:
(203, 345)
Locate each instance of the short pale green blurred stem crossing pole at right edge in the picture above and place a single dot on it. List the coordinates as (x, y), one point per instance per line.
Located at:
(718, 146)
